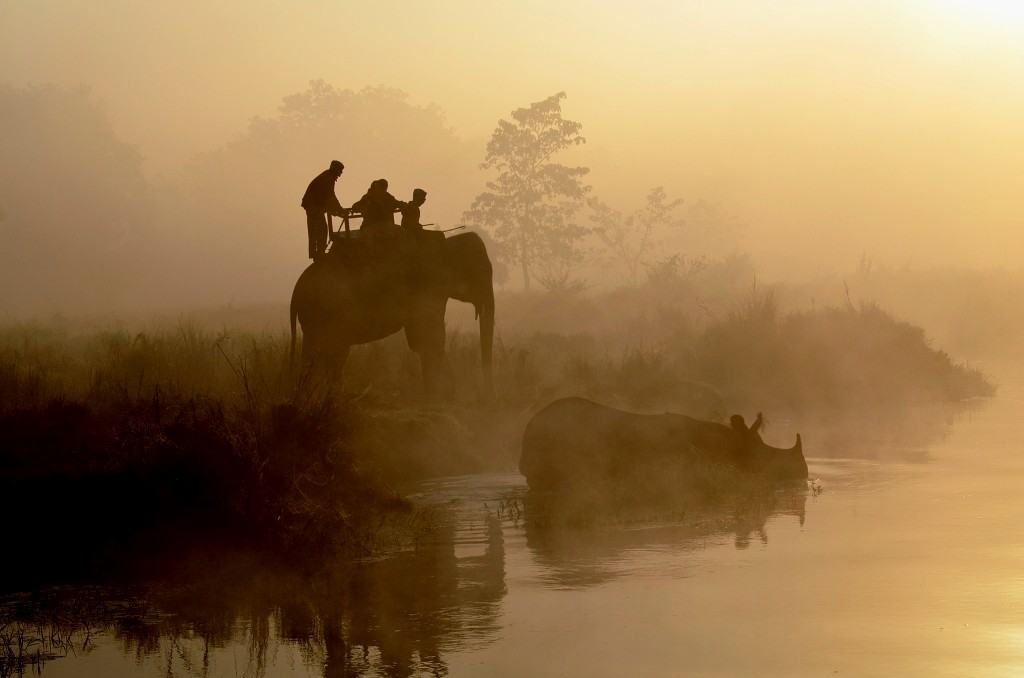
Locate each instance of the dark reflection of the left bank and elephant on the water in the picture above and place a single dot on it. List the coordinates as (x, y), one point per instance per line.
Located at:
(395, 617)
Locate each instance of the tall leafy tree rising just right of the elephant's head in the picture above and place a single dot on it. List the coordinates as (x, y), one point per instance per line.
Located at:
(531, 205)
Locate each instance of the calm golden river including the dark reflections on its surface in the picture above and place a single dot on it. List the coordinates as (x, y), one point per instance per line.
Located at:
(906, 559)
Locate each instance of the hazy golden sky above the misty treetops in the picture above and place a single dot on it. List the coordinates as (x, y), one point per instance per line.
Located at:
(894, 129)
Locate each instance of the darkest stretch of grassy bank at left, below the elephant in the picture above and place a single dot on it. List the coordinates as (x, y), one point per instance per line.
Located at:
(204, 435)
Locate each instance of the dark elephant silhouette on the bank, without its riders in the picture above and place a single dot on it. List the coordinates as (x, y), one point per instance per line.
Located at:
(363, 291)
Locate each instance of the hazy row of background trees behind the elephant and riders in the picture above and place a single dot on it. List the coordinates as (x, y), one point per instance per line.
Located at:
(83, 229)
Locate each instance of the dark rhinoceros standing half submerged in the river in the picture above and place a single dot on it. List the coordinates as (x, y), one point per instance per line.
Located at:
(573, 438)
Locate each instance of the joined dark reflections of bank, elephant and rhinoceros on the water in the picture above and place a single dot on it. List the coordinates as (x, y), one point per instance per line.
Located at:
(401, 616)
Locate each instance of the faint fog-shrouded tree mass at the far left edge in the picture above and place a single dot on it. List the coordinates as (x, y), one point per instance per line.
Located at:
(76, 204)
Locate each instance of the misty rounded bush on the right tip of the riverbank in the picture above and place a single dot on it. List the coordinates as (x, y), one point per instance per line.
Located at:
(830, 358)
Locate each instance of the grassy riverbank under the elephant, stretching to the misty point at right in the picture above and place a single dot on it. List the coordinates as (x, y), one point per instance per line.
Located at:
(120, 437)
